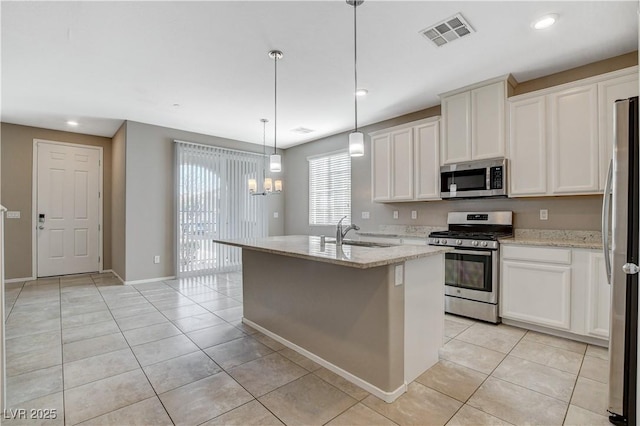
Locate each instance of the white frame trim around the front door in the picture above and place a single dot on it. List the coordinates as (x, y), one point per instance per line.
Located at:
(34, 202)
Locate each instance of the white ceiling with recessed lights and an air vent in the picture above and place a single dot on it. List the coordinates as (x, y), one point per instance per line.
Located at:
(103, 62)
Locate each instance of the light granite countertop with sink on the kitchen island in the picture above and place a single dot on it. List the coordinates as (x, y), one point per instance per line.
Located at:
(308, 247)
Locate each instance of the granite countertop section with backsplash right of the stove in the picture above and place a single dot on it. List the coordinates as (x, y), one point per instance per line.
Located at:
(555, 238)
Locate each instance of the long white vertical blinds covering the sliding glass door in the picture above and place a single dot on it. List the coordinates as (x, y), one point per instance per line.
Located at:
(213, 202)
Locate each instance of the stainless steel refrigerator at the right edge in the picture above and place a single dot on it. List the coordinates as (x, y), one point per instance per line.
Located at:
(621, 233)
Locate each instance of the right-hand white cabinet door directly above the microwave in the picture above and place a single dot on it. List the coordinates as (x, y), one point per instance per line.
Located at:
(487, 121)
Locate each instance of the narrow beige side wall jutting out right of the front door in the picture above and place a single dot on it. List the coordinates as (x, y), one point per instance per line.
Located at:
(118, 203)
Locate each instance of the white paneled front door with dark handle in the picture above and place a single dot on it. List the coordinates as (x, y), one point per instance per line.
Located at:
(67, 209)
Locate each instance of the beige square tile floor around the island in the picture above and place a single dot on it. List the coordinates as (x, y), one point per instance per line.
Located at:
(176, 352)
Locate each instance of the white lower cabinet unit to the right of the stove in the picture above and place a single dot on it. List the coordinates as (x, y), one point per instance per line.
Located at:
(559, 288)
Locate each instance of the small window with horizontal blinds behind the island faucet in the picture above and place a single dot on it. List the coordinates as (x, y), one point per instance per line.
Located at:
(329, 188)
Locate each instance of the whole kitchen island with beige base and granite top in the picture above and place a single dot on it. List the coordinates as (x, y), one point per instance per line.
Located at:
(373, 315)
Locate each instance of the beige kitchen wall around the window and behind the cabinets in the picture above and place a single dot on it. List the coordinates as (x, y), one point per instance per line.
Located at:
(579, 212)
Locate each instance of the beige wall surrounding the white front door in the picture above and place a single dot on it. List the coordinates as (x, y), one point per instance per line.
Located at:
(16, 180)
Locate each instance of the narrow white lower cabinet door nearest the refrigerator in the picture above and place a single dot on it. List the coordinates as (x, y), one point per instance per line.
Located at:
(598, 298)
